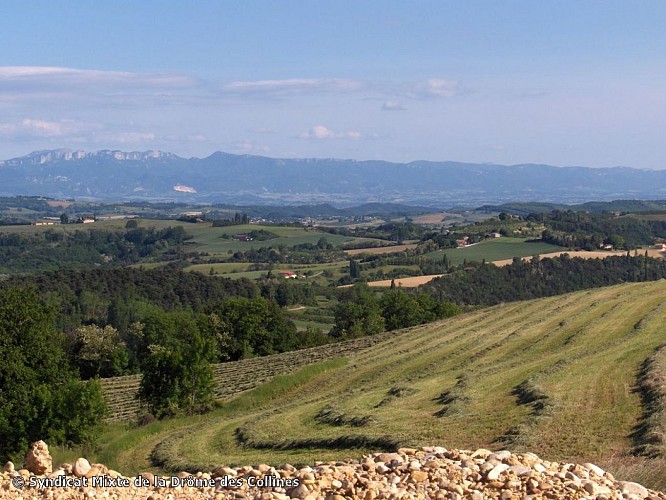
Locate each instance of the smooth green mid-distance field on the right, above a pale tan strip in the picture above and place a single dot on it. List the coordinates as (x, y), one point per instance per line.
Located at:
(494, 249)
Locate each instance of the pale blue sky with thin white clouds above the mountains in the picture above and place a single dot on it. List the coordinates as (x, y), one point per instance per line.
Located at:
(553, 82)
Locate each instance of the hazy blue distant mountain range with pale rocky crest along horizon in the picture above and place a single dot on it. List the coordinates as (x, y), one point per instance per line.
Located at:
(225, 178)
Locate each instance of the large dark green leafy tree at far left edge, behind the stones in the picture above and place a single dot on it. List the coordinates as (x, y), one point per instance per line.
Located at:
(39, 392)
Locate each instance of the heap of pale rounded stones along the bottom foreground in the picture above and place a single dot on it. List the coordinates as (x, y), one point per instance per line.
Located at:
(430, 472)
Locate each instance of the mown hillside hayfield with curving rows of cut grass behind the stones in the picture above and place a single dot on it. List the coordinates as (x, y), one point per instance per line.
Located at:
(451, 383)
